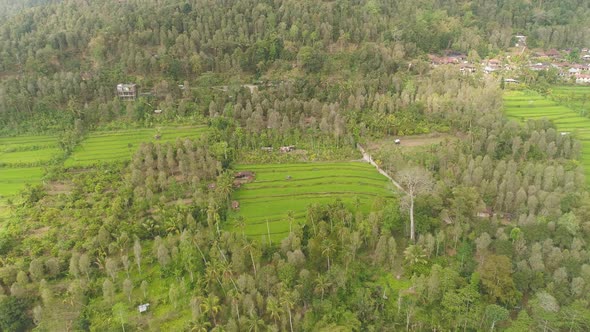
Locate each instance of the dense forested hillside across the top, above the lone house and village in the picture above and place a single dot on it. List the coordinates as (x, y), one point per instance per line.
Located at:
(74, 52)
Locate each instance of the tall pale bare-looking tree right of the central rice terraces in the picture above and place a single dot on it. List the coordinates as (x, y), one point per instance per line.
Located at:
(415, 180)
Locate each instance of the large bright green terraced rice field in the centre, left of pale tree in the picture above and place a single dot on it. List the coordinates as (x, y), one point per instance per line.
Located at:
(280, 188)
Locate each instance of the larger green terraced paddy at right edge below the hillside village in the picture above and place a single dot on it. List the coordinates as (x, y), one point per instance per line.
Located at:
(523, 105)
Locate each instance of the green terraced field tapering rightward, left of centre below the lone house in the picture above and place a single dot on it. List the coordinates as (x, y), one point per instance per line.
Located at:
(115, 146)
